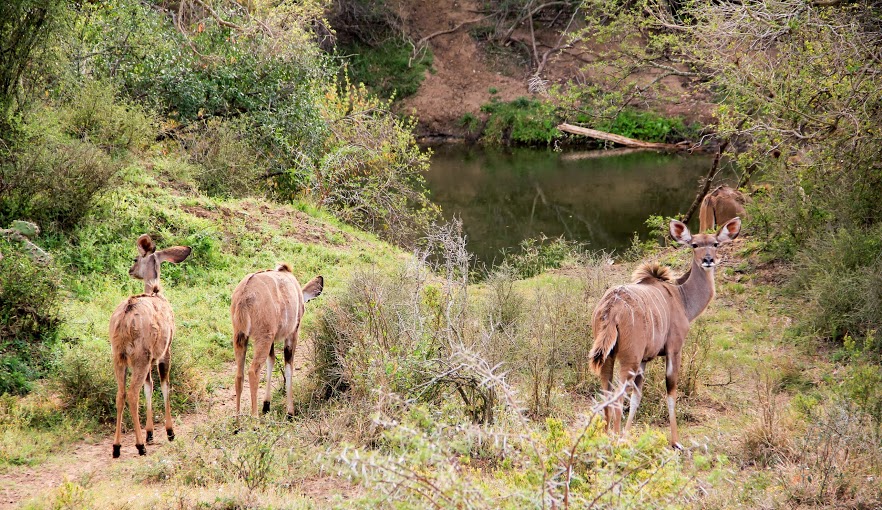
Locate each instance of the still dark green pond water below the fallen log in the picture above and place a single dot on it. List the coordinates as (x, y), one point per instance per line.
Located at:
(504, 197)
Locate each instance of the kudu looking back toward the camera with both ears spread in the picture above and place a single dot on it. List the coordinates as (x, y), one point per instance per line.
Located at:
(636, 323)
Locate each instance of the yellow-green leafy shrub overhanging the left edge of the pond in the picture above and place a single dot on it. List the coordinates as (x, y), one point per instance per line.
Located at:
(371, 171)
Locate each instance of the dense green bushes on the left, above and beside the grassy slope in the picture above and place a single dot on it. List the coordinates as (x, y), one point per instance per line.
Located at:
(236, 101)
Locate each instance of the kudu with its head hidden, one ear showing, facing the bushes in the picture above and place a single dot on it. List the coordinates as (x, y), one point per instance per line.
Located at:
(268, 306)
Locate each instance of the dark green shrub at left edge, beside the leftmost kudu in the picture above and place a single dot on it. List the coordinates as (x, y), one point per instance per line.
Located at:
(28, 318)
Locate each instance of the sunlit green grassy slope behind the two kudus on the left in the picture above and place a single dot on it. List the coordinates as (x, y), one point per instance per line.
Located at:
(230, 237)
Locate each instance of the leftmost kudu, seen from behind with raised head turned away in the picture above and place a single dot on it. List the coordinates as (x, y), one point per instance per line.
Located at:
(141, 331)
